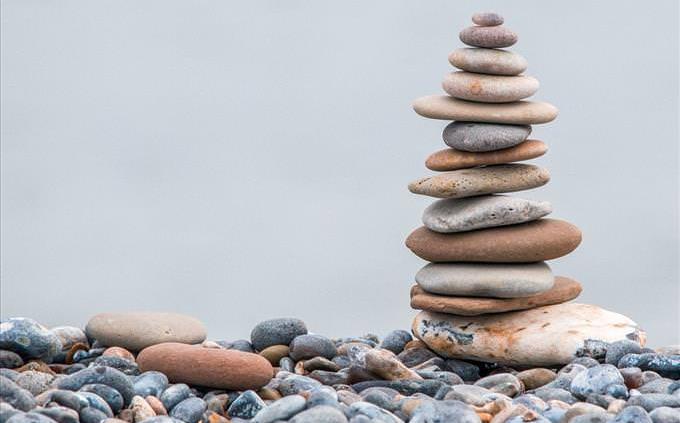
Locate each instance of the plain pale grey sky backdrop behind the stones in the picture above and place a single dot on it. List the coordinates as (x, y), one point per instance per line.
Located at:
(246, 160)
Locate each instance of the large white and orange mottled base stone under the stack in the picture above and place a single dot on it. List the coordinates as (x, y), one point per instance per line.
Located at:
(543, 336)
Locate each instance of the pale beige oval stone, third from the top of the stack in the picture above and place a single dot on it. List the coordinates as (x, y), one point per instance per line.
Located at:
(488, 61)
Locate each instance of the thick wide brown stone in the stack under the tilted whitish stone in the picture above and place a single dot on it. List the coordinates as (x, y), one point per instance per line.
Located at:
(543, 239)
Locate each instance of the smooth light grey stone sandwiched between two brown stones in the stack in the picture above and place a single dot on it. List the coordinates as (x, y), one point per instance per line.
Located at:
(486, 280)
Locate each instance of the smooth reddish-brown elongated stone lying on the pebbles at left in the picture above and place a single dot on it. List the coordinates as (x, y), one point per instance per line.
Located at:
(211, 367)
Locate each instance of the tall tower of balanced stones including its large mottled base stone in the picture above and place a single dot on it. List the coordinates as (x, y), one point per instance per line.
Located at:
(488, 293)
